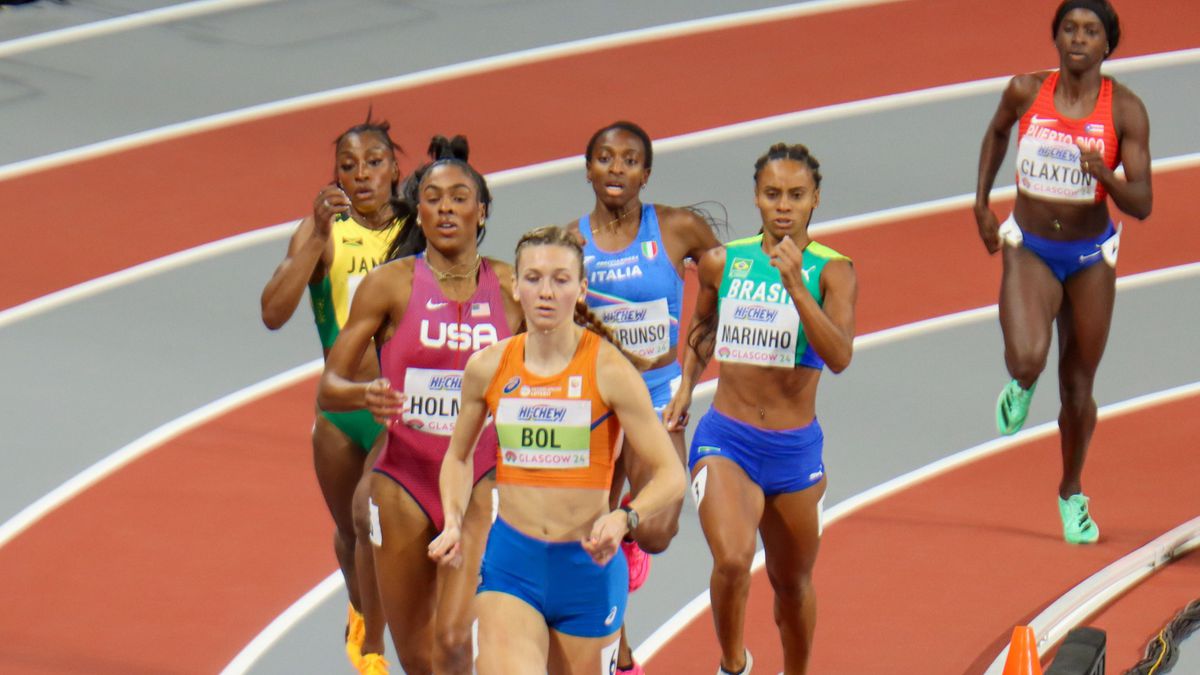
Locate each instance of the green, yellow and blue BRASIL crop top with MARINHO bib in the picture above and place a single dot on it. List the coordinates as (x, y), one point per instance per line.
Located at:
(758, 322)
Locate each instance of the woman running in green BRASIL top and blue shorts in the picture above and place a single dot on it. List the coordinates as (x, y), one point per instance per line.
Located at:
(776, 308)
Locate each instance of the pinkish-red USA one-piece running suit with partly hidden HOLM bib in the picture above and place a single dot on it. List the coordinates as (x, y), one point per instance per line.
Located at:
(425, 359)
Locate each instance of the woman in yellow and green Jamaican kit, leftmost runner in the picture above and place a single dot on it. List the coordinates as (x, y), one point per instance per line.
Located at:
(353, 223)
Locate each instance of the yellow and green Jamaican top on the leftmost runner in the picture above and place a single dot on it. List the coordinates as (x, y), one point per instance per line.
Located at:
(357, 252)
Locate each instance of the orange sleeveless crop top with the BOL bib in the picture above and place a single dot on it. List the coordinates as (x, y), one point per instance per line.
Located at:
(554, 432)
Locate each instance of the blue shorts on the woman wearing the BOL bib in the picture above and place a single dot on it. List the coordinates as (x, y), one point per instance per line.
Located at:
(560, 580)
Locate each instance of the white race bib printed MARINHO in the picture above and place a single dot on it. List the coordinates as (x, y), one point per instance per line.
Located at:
(758, 333)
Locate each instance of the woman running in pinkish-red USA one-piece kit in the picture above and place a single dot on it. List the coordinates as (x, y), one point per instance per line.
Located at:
(429, 313)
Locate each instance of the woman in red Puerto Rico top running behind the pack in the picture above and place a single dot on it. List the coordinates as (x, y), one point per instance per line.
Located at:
(1060, 246)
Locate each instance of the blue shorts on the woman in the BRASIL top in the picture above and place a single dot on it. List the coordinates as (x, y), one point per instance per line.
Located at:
(785, 461)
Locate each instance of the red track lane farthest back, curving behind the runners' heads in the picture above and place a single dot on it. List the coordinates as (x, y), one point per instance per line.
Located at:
(153, 201)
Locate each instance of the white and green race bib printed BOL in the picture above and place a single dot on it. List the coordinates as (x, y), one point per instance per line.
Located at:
(545, 434)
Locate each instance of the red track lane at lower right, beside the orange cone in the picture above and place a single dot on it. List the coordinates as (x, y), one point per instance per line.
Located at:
(933, 580)
